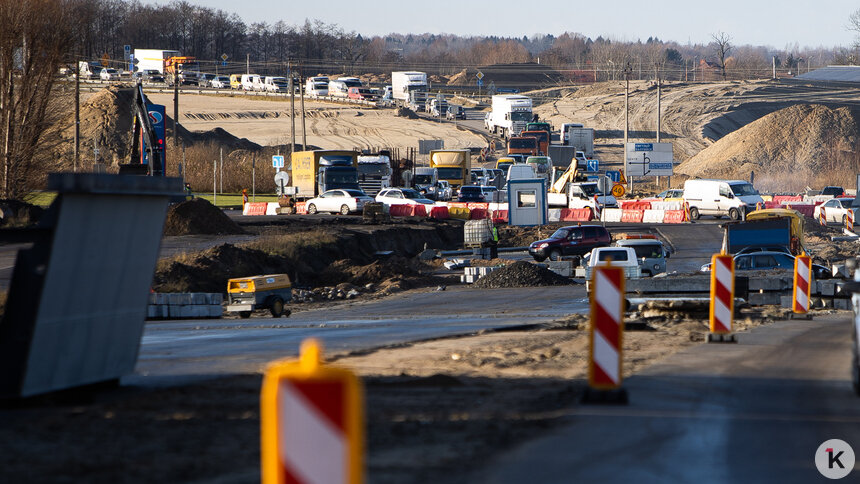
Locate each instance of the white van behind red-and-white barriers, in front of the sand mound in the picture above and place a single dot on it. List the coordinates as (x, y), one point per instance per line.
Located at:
(733, 198)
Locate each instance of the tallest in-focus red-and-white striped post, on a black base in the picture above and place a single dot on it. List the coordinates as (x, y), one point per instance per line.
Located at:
(606, 336)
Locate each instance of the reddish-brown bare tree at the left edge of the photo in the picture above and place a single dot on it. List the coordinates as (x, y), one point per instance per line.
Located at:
(33, 44)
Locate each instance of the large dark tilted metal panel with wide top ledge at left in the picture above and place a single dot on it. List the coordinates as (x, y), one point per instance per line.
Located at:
(77, 299)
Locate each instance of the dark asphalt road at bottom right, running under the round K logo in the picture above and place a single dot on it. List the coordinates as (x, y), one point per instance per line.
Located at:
(720, 413)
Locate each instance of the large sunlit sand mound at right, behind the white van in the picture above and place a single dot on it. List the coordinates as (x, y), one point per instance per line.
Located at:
(795, 142)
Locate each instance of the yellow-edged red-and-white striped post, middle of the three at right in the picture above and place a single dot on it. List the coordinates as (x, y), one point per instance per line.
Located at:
(722, 299)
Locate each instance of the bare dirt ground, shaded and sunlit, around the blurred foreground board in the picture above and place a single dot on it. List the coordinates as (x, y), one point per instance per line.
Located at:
(436, 411)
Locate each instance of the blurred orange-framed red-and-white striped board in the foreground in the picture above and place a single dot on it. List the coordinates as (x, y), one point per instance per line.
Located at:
(312, 422)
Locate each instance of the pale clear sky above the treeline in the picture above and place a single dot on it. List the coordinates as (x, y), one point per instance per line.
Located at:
(773, 23)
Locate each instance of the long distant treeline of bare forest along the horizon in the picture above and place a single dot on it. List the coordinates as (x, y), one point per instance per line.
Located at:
(105, 26)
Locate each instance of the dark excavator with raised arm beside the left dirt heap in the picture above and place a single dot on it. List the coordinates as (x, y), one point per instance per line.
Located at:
(147, 144)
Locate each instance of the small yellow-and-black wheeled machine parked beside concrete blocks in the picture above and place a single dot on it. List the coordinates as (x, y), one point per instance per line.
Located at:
(272, 292)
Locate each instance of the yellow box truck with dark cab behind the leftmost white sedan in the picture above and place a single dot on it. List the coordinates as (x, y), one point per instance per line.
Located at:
(317, 171)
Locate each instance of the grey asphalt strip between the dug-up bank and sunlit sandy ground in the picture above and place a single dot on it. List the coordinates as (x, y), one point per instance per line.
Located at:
(229, 346)
